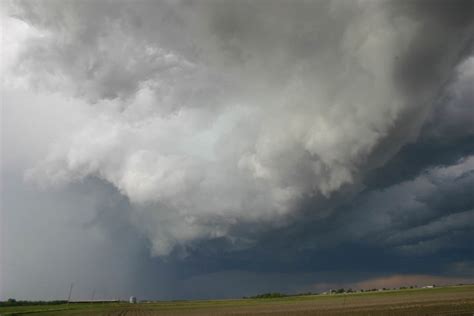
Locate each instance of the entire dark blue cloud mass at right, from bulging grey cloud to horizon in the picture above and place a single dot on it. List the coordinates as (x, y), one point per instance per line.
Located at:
(414, 217)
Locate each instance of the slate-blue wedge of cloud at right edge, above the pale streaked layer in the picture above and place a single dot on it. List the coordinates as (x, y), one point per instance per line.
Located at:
(446, 136)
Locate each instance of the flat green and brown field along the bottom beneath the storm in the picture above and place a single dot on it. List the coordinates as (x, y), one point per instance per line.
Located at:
(456, 300)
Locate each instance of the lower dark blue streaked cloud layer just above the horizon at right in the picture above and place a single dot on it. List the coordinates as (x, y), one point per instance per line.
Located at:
(422, 226)
